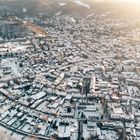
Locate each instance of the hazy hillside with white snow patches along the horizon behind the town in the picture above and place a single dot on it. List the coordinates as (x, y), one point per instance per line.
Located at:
(71, 7)
